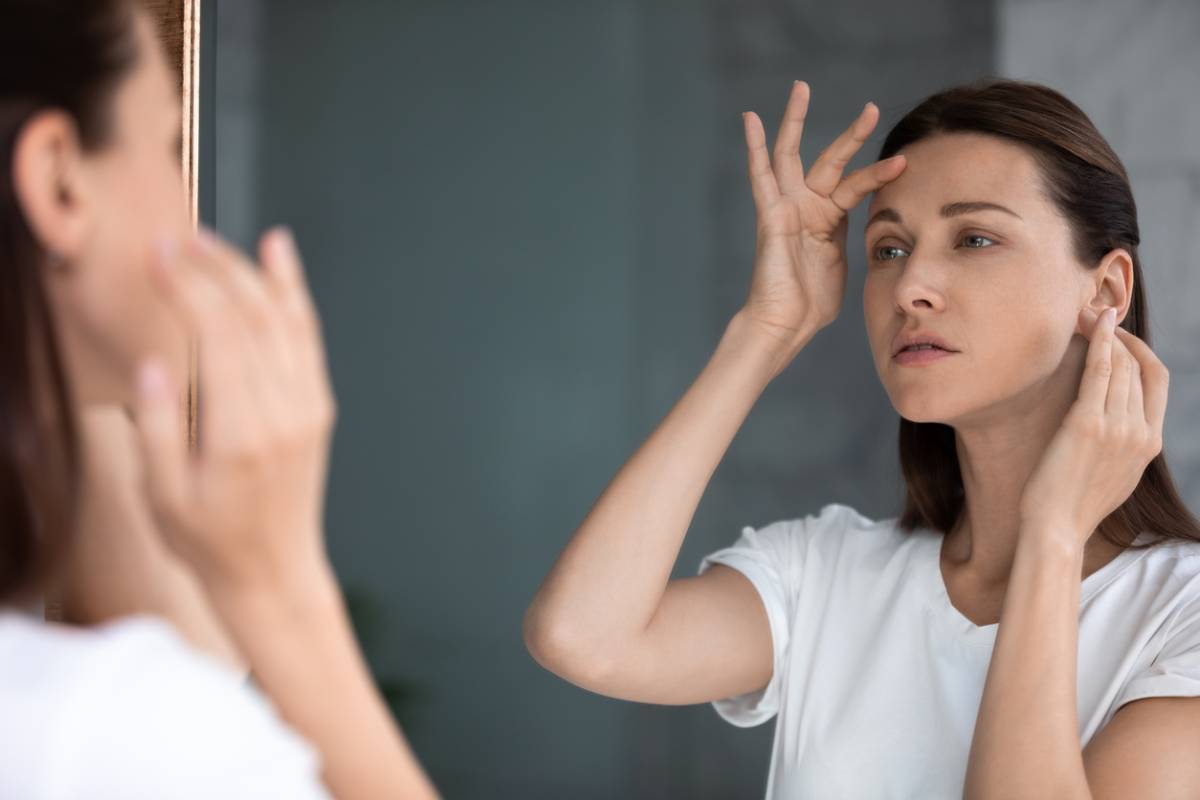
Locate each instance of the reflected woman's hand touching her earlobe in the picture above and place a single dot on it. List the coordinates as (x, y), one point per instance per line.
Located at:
(1108, 437)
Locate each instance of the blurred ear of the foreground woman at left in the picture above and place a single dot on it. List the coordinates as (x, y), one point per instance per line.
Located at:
(51, 182)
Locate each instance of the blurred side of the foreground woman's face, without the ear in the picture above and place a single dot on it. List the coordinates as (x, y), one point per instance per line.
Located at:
(131, 193)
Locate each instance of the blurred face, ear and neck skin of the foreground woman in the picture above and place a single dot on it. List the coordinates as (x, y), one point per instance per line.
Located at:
(113, 204)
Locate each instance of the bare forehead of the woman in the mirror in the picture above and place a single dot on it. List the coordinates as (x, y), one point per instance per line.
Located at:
(963, 167)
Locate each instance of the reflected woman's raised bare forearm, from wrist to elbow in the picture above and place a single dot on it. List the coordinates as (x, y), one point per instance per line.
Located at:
(611, 576)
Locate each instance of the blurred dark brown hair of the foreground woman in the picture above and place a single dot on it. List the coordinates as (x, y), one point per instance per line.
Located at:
(69, 56)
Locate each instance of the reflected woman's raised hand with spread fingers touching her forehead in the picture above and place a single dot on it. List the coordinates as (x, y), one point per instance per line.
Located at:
(800, 273)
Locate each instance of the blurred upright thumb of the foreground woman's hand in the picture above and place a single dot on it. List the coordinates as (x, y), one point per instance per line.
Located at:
(161, 438)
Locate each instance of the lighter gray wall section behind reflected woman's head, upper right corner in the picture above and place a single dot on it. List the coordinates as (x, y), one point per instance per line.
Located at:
(1133, 69)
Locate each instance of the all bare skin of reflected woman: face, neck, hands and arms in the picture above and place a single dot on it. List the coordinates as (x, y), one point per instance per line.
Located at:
(1057, 417)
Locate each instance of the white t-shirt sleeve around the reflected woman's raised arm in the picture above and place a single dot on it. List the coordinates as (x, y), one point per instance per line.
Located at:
(767, 558)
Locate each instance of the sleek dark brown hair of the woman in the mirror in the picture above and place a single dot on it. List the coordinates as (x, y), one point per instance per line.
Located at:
(1088, 184)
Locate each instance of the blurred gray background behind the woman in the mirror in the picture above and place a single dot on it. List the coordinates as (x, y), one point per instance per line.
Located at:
(527, 222)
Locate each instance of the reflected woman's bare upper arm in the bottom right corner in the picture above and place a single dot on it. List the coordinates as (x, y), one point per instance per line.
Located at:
(1148, 750)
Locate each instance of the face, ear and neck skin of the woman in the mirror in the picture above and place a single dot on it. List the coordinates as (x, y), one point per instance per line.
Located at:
(967, 279)
